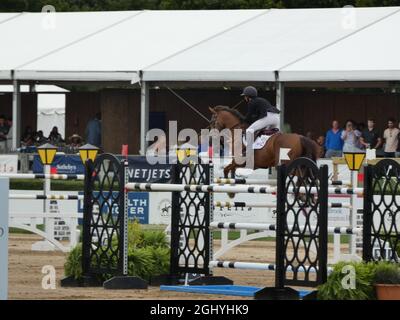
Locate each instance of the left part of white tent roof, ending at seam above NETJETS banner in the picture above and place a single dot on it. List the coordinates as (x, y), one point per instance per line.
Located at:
(109, 46)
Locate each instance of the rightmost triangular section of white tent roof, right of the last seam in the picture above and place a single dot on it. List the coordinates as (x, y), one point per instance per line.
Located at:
(372, 53)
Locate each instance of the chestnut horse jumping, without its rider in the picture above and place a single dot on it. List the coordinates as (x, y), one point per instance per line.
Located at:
(267, 157)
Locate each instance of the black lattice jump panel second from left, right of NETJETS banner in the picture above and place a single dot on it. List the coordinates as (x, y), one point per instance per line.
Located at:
(190, 235)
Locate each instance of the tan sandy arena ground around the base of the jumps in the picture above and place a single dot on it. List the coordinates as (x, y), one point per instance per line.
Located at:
(25, 274)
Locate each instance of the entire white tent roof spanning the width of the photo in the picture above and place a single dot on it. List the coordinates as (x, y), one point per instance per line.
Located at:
(219, 45)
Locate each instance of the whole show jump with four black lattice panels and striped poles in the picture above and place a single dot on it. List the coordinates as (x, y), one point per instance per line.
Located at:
(302, 206)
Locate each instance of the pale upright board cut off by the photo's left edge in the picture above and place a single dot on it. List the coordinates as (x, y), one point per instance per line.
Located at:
(4, 188)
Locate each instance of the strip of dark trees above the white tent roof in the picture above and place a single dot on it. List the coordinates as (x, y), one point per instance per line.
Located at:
(108, 5)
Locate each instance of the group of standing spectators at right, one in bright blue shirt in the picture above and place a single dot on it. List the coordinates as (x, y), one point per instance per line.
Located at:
(355, 137)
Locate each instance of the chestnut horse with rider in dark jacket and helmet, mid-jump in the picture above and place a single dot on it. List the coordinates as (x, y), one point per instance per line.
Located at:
(263, 117)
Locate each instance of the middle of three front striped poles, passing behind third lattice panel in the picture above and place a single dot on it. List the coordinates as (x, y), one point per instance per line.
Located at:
(272, 227)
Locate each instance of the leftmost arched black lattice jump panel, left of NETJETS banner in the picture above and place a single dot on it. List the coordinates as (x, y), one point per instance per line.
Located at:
(104, 222)
